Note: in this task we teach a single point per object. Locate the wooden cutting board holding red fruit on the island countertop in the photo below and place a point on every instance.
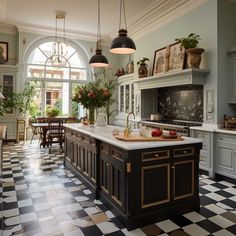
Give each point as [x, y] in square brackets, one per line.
[137, 137]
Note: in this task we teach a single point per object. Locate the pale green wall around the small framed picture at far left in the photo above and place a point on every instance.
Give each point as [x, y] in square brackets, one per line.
[11, 39]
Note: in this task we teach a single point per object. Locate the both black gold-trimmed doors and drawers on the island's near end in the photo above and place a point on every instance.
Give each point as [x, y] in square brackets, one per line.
[167, 176]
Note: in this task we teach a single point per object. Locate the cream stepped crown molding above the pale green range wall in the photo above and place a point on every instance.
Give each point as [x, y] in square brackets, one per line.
[159, 14]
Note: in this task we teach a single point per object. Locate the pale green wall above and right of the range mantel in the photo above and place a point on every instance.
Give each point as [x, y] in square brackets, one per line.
[203, 21]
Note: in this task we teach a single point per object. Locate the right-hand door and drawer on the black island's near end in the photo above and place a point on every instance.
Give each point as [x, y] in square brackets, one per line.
[183, 169]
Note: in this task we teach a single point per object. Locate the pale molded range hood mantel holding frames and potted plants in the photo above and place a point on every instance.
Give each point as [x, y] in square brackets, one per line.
[173, 78]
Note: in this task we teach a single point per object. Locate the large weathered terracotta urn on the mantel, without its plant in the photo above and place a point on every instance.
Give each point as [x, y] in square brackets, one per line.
[194, 57]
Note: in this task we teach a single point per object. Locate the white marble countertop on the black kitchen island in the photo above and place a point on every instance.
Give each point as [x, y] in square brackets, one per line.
[104, 133]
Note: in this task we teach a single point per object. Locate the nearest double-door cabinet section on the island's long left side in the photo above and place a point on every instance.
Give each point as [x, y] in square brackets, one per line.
[112, 174]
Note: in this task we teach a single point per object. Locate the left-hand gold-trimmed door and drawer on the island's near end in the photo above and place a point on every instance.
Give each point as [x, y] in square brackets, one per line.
[155, 178]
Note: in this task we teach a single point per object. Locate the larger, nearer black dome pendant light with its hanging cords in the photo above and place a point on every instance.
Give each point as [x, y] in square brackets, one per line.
[122, 44]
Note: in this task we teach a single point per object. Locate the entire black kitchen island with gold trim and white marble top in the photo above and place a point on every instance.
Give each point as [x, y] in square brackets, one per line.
[140, 182]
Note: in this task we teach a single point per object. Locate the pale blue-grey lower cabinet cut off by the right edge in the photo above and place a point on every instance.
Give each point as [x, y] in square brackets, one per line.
[225, 163]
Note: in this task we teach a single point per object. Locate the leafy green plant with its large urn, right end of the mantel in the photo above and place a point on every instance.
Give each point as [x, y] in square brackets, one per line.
[193, 52]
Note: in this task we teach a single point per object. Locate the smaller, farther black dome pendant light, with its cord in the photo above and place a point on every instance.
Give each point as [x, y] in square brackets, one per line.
[98, 60]
